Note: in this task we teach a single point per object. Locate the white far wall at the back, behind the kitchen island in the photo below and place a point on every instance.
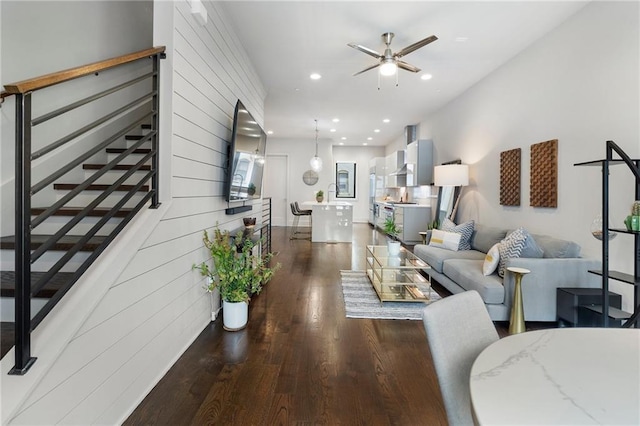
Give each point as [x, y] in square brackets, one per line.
[301, 151]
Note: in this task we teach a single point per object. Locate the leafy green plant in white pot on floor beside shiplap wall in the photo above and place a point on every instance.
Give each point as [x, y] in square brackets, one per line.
[237, 273]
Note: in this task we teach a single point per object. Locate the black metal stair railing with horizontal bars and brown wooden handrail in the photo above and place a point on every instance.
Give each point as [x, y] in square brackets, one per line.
[127, 117]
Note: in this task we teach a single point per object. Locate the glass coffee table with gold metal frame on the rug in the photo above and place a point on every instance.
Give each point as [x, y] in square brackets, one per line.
[397, 278]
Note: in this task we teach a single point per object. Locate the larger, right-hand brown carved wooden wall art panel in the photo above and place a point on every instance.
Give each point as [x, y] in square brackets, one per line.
[544, 174]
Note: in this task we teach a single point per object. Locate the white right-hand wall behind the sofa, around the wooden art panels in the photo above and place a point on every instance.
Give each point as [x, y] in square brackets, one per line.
[578, 84]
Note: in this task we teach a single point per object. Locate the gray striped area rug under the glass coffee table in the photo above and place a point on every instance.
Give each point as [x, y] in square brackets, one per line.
[361, 300]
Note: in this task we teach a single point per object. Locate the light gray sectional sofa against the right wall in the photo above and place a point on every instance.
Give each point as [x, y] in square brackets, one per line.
[560, 266]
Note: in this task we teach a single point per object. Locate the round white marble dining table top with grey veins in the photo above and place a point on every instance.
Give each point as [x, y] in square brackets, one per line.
[565, 376]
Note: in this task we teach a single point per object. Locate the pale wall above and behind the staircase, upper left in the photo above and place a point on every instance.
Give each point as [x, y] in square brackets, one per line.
[42, 37]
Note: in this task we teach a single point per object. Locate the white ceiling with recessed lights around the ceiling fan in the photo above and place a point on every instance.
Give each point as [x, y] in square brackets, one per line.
[288, 40]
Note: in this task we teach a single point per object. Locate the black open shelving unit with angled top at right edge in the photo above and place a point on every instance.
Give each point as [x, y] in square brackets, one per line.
[606, 310]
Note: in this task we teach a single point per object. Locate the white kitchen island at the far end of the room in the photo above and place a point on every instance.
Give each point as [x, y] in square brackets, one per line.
[332, 222]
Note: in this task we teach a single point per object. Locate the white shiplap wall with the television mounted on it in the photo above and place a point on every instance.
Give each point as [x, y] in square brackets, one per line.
[156, 306]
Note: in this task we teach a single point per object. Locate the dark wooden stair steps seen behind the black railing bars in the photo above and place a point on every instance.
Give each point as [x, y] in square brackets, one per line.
[48, 287]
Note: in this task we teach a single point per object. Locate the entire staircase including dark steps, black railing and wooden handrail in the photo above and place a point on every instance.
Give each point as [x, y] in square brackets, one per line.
[78, 199]
